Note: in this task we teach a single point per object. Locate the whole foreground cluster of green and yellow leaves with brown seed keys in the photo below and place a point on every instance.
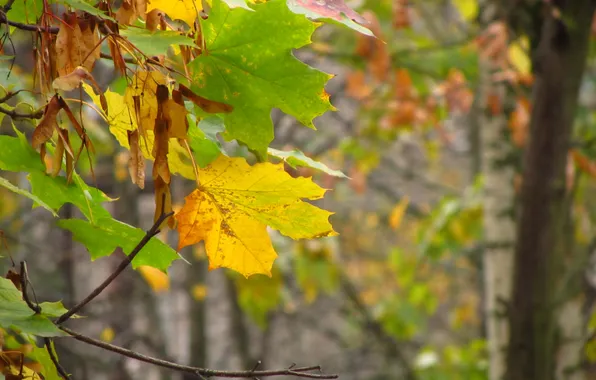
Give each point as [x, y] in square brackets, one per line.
[190, 73]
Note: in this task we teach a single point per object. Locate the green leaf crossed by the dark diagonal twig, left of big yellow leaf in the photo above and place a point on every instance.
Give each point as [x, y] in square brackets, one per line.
[107, 234]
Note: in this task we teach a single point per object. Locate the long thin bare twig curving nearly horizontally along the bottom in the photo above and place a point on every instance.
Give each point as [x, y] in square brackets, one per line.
[297, 372]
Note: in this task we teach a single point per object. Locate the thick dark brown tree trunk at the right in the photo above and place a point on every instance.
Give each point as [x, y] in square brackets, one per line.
[559, 62]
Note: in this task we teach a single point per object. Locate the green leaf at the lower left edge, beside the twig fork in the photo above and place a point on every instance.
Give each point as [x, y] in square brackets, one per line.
[14, 313]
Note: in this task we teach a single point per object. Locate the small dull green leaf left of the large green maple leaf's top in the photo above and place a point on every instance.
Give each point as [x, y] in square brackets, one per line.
[155, 43]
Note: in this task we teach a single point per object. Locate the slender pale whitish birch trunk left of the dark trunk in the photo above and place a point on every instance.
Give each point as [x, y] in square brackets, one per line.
[498, 171]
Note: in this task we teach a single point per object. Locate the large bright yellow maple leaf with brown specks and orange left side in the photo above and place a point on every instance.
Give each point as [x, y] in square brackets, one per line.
[235, 203]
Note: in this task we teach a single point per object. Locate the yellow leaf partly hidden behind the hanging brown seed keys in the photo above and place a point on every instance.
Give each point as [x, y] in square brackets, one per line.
[121, 118]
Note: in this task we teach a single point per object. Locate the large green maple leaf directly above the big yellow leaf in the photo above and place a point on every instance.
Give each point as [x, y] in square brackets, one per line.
[249, 64]
